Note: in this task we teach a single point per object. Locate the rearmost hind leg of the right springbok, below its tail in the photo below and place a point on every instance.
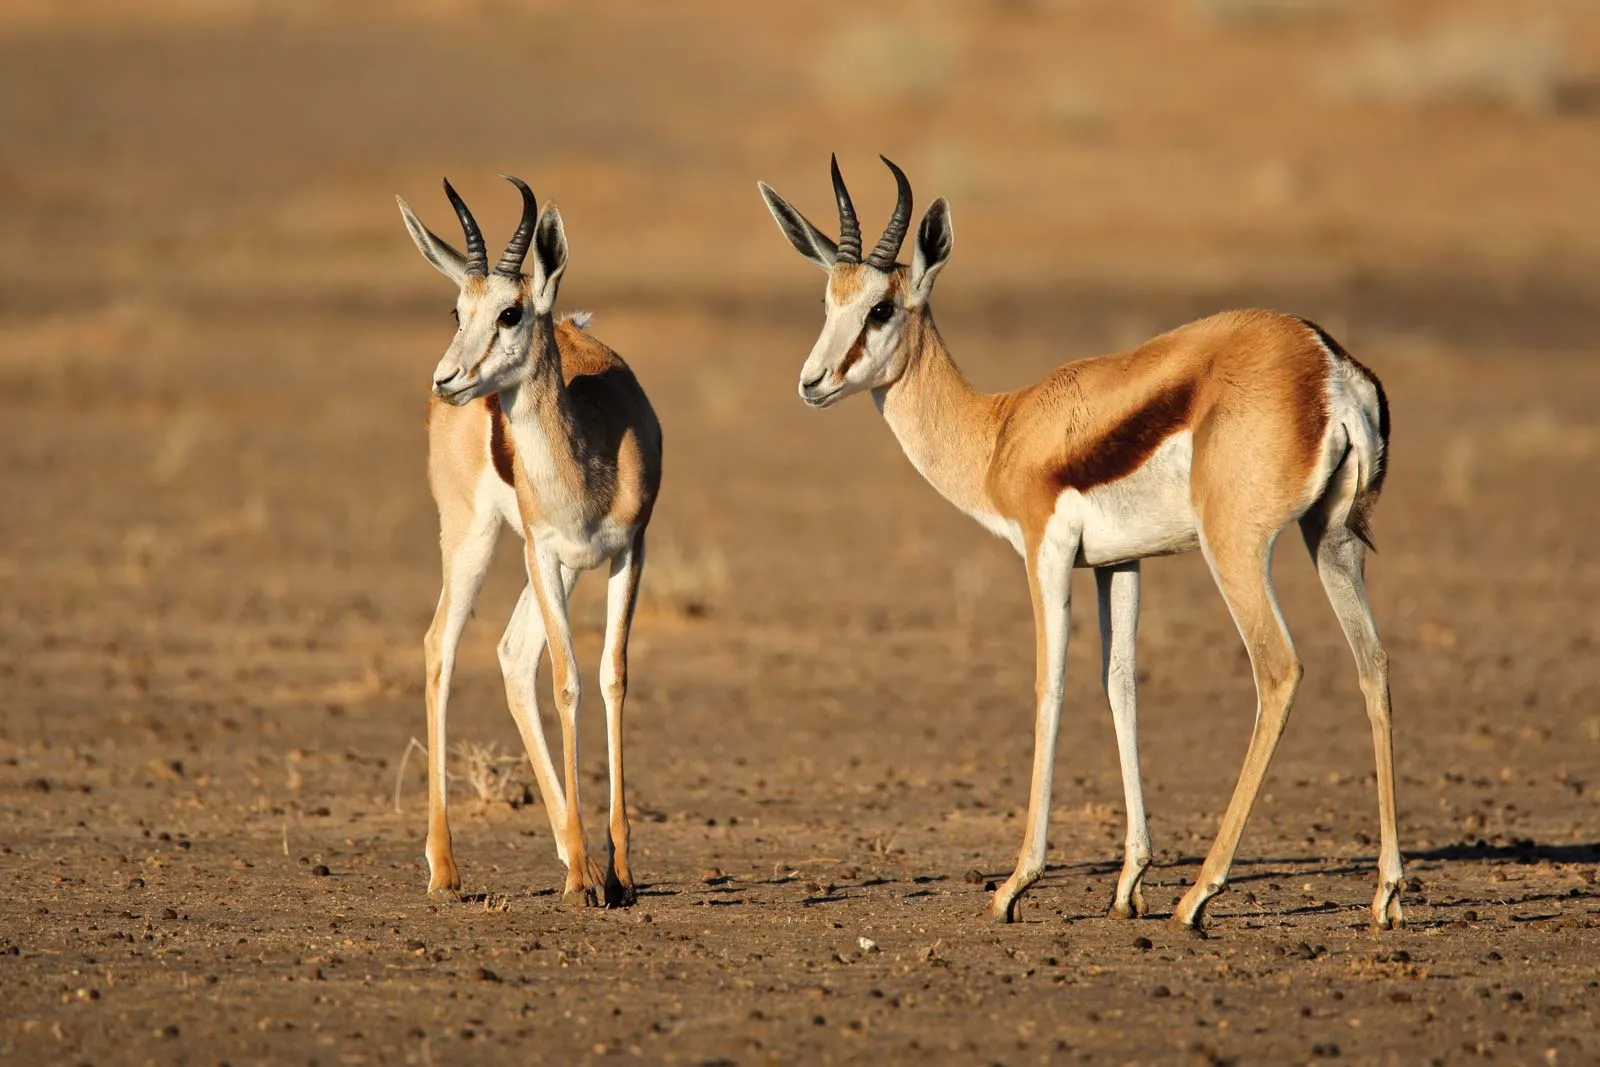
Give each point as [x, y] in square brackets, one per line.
[1340, 561]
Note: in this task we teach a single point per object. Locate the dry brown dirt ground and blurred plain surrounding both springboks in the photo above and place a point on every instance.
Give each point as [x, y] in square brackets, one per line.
[218, 554]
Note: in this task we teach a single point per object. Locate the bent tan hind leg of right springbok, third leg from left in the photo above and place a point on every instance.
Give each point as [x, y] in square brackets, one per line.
[1239, 561]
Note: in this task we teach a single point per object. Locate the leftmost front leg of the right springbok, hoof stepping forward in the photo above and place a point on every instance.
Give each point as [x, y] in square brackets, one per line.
[1050, 581]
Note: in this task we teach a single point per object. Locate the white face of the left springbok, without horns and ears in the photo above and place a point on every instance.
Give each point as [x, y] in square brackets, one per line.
[494, 340]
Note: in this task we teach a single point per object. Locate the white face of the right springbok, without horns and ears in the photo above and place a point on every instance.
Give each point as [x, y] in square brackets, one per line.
[860, 346]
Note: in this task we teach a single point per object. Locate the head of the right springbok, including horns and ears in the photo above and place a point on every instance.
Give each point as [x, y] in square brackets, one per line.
[870, 305]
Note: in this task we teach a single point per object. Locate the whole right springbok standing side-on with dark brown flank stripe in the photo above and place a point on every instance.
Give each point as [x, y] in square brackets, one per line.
[1215, 436]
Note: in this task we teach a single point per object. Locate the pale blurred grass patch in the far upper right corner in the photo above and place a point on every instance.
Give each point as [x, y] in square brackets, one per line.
[1513, 68]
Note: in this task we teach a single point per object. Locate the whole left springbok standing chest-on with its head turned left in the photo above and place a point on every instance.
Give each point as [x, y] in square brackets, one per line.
[538, 426]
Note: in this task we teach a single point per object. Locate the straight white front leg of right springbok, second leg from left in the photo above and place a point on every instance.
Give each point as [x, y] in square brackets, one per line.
[1119, 610]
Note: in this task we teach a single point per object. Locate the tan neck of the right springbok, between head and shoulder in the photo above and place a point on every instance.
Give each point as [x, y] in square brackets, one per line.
[945, 426]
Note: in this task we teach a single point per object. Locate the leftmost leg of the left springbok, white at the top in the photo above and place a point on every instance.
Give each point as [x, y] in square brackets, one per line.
[468, 546]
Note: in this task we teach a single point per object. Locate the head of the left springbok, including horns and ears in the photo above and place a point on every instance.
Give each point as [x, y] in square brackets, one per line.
[503, 316]
